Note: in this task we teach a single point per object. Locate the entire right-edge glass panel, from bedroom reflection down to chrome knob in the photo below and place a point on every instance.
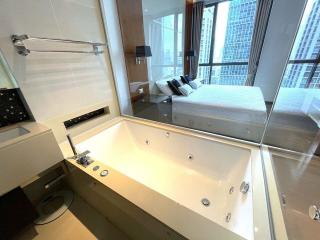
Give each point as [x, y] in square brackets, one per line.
[294, 124]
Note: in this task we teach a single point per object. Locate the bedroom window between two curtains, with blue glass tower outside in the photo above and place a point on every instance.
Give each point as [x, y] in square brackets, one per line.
[225, 45]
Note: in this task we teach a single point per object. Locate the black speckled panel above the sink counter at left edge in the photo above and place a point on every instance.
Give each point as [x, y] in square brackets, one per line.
[12, 109]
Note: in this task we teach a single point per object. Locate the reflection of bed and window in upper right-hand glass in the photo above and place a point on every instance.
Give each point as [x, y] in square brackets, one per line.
[296, 113]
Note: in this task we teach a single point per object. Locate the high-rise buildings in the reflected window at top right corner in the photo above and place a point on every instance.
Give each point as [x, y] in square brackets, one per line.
[306, 47]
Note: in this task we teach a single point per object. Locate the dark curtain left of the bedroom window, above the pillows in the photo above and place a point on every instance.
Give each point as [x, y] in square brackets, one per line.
[196, 24]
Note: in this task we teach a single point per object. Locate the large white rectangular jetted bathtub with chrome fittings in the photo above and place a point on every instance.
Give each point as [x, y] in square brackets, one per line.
[167, 171]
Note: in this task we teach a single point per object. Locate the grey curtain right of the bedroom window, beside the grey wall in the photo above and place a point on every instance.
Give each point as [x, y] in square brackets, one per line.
[259, 31]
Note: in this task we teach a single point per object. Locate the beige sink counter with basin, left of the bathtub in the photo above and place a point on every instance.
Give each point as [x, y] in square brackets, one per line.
[26, 150]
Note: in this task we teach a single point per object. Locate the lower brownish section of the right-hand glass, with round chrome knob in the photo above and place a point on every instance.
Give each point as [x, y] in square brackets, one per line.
[297, 178]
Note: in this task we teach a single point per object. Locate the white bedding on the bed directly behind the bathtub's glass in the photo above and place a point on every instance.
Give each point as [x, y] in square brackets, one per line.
[241, 104]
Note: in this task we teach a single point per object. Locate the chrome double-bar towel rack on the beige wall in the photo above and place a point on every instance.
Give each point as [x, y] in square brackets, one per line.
[18, 42]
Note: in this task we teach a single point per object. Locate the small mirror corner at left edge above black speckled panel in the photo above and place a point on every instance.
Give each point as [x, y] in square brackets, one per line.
[7, 80]
